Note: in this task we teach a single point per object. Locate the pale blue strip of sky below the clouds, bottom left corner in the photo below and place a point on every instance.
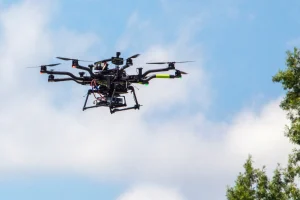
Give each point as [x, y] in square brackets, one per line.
[46, 187]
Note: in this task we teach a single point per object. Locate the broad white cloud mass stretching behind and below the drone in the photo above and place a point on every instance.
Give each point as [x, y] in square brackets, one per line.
[183, 150]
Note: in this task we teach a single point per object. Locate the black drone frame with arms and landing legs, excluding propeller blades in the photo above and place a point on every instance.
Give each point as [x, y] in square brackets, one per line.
[140, 78]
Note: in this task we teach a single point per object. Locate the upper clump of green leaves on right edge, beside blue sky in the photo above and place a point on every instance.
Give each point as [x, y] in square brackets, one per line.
[290, 80]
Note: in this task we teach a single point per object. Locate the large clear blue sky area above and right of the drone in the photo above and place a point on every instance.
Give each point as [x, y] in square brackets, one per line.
[244, 43]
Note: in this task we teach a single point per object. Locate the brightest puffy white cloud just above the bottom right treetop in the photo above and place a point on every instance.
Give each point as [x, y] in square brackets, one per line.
[261, 133]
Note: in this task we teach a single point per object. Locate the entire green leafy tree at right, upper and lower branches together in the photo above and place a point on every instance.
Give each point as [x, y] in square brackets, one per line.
[253, 183]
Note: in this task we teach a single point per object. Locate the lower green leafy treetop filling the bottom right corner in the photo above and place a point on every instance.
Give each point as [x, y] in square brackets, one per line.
[254, 184]
